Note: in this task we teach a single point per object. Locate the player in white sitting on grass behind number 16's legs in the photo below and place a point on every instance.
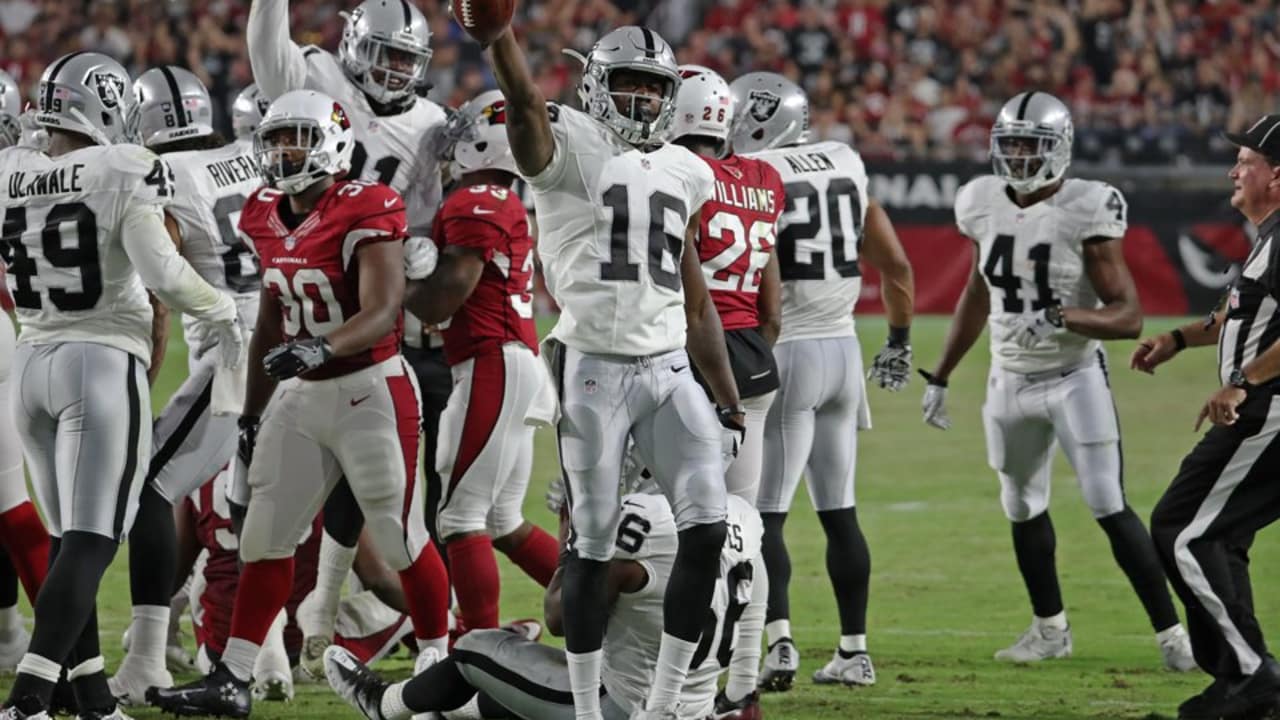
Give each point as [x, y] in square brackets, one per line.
[519, 678]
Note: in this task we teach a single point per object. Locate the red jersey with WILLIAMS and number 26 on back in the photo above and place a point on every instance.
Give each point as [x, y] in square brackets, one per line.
[739, 230]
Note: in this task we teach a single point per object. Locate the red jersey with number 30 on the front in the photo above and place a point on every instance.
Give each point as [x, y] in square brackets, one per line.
[313, 270]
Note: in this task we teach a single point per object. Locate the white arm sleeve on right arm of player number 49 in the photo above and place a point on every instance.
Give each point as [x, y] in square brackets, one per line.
[154, 257]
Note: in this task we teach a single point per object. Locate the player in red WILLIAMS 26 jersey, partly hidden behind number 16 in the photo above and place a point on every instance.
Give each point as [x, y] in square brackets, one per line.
[735, 245]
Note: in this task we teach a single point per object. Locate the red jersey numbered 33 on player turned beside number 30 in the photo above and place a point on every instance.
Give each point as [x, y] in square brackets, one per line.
[492, 220]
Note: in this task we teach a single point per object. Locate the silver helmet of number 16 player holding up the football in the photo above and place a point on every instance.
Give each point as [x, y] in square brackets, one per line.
[637, 49]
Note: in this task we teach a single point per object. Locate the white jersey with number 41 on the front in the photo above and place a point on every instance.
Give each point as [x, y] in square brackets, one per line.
[1034, 257]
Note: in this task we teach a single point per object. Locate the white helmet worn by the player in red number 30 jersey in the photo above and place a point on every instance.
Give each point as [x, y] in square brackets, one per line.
[309, 124]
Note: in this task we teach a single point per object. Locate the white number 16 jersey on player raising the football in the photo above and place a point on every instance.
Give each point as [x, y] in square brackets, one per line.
[612, 225]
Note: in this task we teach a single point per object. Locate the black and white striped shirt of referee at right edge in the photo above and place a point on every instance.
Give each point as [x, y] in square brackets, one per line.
[1254, 304]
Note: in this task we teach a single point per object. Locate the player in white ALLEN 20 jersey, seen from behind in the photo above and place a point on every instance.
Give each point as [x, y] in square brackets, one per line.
[829, 225]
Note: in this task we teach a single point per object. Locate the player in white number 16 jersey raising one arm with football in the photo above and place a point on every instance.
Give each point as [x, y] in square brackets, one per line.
[619, 215]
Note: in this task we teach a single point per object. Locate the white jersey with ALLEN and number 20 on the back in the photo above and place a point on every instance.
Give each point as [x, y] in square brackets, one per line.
[820, 236]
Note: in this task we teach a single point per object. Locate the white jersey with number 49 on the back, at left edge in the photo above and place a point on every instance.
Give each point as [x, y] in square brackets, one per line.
[68, 272]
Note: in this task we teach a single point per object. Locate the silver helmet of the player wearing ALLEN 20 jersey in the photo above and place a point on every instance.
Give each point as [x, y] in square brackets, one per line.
[770, 112]
